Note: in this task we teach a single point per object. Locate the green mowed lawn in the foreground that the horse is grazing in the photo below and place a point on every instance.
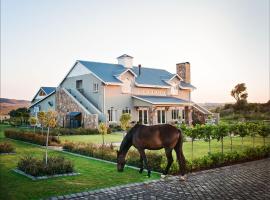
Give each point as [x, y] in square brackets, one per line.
[94, 175]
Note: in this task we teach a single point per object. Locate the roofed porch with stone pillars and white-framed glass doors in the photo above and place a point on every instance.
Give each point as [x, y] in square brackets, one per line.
[162, 109]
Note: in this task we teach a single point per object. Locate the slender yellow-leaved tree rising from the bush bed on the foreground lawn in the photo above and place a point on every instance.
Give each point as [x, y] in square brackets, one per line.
[50, 122]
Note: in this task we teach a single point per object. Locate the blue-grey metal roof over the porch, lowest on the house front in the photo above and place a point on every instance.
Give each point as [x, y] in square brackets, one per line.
[161, 99]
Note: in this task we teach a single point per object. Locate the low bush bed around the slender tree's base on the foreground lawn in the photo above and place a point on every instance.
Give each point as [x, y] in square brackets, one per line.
[37, 167]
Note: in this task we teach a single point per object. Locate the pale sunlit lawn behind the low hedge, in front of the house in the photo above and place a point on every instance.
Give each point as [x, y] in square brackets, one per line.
[200, 147]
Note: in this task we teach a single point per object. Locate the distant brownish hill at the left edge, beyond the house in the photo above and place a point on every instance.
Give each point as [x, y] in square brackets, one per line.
[6, 105]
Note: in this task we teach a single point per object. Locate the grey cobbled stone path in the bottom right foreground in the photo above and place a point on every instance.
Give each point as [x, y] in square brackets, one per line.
[250, 180]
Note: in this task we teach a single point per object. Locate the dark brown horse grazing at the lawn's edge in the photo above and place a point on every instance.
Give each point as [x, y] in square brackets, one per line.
[153, 138]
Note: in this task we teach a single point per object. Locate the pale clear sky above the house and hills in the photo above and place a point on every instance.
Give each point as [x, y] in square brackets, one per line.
[226, 42]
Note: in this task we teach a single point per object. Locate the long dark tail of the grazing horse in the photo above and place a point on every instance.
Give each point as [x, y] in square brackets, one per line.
[180, 155]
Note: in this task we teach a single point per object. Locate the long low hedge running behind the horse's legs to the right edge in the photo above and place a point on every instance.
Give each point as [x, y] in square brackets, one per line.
[158, 162]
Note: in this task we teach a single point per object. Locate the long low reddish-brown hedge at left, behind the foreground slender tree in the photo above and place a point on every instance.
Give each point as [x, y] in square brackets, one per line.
[31, 137]
